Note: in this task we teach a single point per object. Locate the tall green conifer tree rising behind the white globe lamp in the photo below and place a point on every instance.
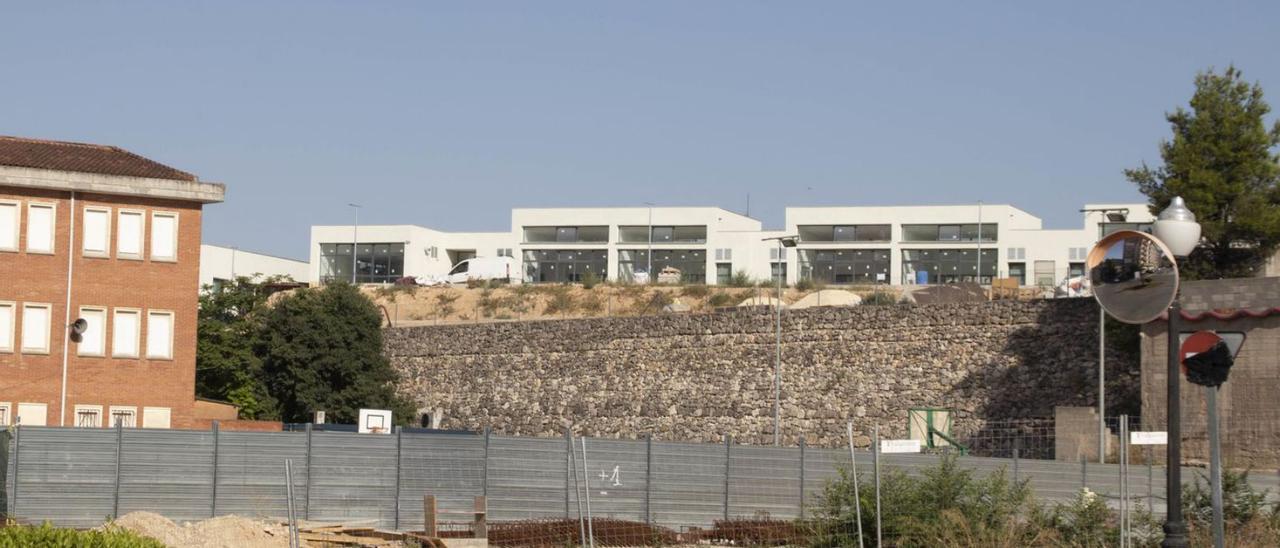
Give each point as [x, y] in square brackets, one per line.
[1222, 161]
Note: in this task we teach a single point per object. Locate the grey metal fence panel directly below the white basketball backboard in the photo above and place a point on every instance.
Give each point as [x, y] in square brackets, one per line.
[354, 478]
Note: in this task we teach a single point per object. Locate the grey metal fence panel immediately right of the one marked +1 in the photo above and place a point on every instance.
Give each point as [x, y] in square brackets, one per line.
[688, 485]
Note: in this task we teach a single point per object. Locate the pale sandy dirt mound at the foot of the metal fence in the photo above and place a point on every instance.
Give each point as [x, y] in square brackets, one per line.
[223, 532]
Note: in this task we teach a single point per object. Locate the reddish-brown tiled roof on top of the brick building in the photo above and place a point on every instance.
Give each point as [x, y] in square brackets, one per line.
[77, 157]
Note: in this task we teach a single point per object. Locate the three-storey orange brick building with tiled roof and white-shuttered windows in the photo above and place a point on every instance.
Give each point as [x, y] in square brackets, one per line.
[98, 234]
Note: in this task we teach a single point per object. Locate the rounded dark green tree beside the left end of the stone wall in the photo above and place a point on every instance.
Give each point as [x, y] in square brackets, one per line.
[323, 350]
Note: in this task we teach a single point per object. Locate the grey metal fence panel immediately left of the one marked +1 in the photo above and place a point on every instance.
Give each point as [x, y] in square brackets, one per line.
[528, 478]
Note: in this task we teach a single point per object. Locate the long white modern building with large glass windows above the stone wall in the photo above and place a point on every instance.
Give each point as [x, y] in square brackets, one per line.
[906, 245]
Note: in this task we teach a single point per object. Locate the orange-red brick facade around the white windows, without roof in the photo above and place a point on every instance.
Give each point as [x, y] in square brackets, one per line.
[111, 282]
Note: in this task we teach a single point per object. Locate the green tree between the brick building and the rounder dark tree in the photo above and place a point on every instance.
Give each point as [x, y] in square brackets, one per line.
[227, 363]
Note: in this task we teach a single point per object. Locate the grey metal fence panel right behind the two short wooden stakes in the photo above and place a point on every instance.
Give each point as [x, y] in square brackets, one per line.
[450, 467]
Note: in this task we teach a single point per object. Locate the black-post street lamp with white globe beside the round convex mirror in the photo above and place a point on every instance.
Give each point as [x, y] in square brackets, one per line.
[1177, 227]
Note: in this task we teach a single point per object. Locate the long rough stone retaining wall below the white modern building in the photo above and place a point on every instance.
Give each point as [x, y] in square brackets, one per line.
[701, 377]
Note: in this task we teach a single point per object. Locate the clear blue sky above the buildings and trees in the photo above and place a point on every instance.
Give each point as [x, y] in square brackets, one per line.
[449, 115]
